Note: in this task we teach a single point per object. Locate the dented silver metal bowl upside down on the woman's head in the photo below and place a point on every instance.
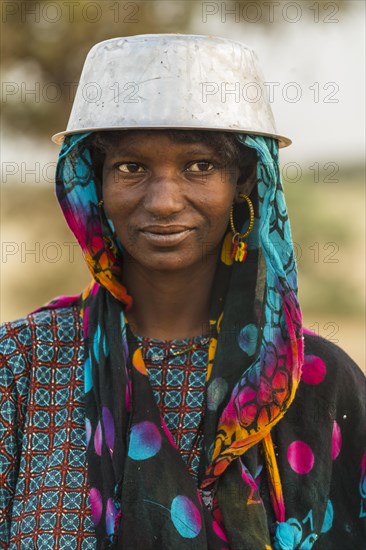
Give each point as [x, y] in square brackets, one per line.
[160, 81]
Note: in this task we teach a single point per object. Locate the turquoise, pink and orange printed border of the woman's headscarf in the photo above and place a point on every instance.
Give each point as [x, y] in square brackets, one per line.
[273, 372]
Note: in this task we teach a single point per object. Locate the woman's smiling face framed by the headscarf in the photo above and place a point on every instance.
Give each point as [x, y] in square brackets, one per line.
[169, 202]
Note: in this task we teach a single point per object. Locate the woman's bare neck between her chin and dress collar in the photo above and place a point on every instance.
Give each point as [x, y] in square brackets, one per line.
[170, 305]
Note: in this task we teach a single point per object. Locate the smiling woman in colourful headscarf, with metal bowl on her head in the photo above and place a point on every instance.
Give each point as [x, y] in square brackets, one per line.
[178, 402]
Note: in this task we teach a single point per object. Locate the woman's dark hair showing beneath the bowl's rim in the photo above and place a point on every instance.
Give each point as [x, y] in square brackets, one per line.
[225, 145]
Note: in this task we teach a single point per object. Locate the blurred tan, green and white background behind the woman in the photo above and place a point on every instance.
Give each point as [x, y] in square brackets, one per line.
[313, 58]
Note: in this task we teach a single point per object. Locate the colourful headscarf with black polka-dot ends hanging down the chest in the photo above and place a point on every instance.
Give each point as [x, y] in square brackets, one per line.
[141, 494]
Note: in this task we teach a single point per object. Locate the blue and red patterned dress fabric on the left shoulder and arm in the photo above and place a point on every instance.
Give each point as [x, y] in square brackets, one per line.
[42, 433]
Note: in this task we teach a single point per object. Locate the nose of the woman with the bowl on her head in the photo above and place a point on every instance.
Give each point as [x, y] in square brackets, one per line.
[164, 195]
